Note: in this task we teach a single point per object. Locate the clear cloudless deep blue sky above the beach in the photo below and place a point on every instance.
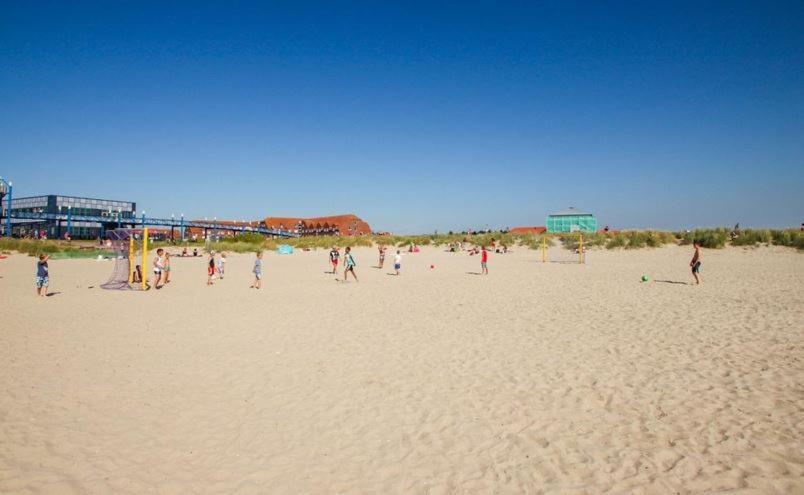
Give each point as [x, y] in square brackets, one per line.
[414, 116]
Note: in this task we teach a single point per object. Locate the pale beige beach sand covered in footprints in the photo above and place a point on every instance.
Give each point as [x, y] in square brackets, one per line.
[539, 378]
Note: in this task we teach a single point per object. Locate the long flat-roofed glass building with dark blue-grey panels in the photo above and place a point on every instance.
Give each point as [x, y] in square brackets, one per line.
[77, 206]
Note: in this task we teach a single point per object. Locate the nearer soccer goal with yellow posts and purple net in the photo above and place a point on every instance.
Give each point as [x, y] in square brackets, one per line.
[131, 261]
